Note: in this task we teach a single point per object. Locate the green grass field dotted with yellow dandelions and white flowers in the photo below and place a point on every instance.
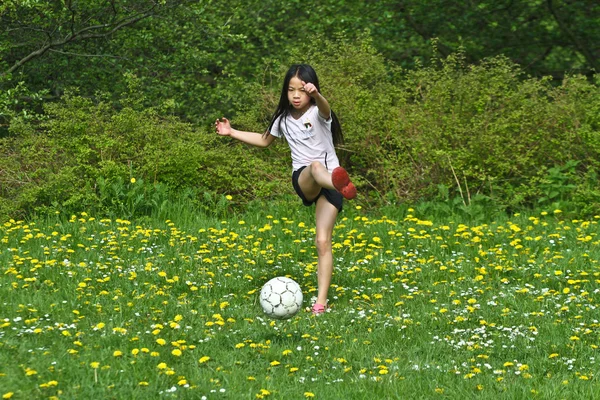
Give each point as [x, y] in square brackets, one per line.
[97, 308]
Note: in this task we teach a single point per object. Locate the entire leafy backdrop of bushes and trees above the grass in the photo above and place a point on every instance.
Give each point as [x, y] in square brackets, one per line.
[144, 70]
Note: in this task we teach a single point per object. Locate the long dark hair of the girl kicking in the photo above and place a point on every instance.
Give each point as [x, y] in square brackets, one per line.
[306, 73]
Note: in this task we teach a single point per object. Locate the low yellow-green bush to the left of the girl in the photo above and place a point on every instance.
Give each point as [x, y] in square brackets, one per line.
[86, 151]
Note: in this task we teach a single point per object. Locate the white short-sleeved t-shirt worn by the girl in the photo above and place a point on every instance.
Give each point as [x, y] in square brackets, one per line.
[309, 137]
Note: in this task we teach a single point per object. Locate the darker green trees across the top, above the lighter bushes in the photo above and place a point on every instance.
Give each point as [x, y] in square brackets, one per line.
[200, 55]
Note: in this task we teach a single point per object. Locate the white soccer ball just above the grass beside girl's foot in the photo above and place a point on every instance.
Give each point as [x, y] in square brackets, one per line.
[281, 298]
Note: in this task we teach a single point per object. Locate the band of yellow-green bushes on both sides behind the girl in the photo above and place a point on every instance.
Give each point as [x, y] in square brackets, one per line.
[468, 137]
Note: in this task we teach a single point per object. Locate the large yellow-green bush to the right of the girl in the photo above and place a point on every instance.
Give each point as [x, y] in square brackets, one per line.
[483, 131]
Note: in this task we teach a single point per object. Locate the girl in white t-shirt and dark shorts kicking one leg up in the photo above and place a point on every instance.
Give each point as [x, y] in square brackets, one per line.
[311, 129]
